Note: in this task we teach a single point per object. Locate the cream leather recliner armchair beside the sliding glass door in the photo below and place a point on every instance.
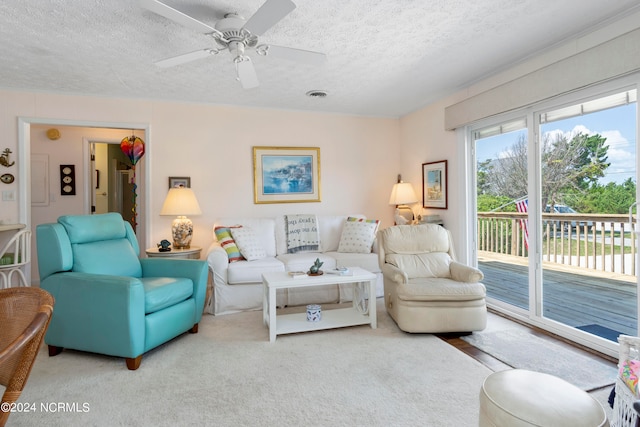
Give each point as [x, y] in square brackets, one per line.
[425, 288]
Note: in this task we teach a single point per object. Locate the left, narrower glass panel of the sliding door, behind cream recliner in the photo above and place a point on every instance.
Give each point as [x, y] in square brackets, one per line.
[501, 153]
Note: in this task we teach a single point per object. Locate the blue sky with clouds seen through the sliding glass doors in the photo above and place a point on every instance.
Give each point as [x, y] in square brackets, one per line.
[617, 125]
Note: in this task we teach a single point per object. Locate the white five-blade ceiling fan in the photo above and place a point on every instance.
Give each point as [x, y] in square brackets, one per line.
[237, 35]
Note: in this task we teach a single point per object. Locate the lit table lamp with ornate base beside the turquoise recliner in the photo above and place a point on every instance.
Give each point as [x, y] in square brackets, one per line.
[181, 201]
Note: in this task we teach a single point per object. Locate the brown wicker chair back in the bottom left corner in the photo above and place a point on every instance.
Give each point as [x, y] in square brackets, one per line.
[24, 316]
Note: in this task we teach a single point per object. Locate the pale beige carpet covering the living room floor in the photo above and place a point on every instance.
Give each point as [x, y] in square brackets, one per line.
[230, 375]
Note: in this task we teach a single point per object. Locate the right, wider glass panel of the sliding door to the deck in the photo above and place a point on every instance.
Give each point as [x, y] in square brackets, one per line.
[588, 186]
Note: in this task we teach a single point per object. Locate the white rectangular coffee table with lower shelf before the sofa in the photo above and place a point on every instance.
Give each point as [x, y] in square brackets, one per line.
[357, 314]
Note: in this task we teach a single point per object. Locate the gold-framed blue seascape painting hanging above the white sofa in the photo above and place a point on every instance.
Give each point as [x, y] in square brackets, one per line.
[286, 174]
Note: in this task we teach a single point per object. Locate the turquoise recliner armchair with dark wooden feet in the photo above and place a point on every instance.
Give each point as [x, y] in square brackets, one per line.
[108, 300]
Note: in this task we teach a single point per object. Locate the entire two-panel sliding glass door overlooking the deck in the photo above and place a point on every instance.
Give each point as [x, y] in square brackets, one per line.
[555, 214]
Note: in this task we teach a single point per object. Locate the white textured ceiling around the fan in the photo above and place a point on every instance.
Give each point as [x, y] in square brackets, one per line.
[384, 57]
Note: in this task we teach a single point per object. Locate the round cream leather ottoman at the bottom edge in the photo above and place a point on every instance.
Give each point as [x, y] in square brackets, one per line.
[518, 397]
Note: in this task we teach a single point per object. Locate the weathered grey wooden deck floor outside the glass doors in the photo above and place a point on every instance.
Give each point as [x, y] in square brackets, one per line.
[573, 296]
